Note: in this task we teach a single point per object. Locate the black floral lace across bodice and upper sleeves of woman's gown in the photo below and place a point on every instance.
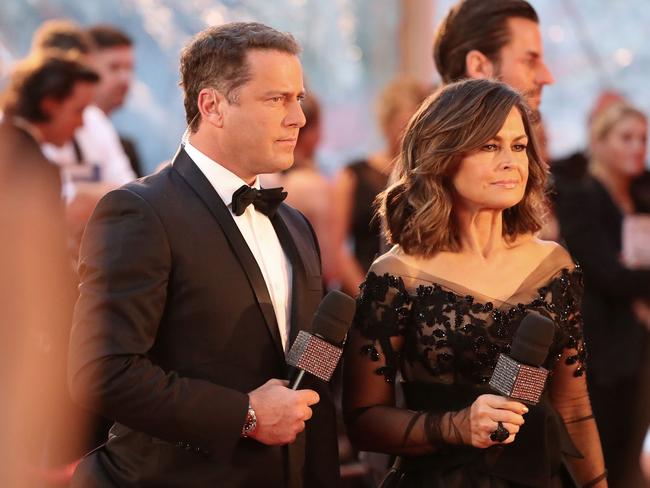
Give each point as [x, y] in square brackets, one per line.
[456, 339]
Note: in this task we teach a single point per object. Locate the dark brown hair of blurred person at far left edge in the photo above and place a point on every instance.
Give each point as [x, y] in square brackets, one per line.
[52, 73]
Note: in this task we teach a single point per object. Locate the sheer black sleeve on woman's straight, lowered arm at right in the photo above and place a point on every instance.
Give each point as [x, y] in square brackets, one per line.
[568, 387]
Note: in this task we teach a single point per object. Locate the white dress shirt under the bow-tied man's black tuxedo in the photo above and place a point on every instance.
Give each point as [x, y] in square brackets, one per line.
[259, 234]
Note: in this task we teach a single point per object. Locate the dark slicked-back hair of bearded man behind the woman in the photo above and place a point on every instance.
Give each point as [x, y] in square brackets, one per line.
[475, 24]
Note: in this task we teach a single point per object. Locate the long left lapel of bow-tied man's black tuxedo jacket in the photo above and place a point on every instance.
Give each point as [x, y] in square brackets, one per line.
[184, 165]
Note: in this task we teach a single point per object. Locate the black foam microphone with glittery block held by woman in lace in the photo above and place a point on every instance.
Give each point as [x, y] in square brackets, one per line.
[520, 375]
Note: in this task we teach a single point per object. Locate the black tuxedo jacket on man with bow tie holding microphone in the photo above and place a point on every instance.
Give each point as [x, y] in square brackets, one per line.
[174, 325]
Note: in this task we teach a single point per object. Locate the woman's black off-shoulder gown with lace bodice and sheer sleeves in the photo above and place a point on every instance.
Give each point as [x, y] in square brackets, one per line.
[444, 341]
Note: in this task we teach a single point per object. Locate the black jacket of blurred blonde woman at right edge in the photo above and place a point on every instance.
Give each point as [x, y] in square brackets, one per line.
[591, 224]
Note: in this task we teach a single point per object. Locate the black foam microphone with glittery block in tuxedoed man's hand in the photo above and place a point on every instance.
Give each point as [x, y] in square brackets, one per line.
[318, 352]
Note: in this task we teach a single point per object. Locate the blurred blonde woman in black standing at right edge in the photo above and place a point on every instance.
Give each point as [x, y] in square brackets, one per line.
[592, 216]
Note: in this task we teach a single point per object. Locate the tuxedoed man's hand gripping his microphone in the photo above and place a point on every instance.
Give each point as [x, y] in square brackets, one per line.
[281, 413]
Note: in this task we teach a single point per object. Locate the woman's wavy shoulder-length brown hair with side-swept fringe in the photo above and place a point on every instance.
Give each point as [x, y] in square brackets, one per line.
[417, 210]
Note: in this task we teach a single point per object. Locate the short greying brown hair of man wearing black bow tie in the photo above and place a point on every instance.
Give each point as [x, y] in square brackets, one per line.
[216, 57]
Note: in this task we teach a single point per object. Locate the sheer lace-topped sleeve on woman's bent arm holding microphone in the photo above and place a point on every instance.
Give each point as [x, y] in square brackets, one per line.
[372, 359]
